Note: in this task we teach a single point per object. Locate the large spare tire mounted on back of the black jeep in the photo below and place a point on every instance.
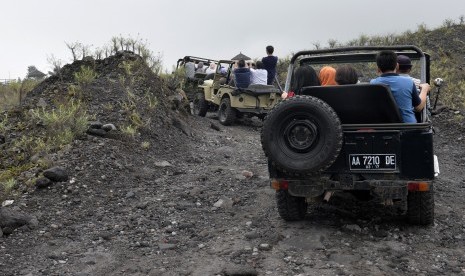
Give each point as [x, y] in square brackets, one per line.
[302, 135]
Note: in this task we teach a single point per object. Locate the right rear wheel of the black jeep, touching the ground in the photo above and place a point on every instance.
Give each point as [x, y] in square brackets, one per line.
[420, 207]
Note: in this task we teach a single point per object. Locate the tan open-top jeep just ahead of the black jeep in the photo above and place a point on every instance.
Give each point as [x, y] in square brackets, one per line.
[217, 94]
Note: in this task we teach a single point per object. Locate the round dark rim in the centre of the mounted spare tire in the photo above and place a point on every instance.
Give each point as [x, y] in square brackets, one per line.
[301, 135]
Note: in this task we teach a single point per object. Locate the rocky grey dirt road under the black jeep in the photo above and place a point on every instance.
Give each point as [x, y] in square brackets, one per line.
[201, 205]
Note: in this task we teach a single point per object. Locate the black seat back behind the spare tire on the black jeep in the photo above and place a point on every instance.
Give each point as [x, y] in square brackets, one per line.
[358, 103]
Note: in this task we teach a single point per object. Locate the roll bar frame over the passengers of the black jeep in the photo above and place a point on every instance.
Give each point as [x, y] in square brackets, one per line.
[358, 54]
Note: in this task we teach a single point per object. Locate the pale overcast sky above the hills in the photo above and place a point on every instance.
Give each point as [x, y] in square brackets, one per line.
[32, 30]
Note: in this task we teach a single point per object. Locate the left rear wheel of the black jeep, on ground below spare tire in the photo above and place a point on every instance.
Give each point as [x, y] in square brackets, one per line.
[290, 207]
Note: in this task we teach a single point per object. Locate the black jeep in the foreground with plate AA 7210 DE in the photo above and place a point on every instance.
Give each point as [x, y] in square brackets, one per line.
[350, 138]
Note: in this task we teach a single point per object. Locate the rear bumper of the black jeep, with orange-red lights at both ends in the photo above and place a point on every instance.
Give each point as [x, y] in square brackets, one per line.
[387, 189]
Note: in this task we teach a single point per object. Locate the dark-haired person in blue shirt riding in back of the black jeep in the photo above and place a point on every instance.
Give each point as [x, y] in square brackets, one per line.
[402, 88]
